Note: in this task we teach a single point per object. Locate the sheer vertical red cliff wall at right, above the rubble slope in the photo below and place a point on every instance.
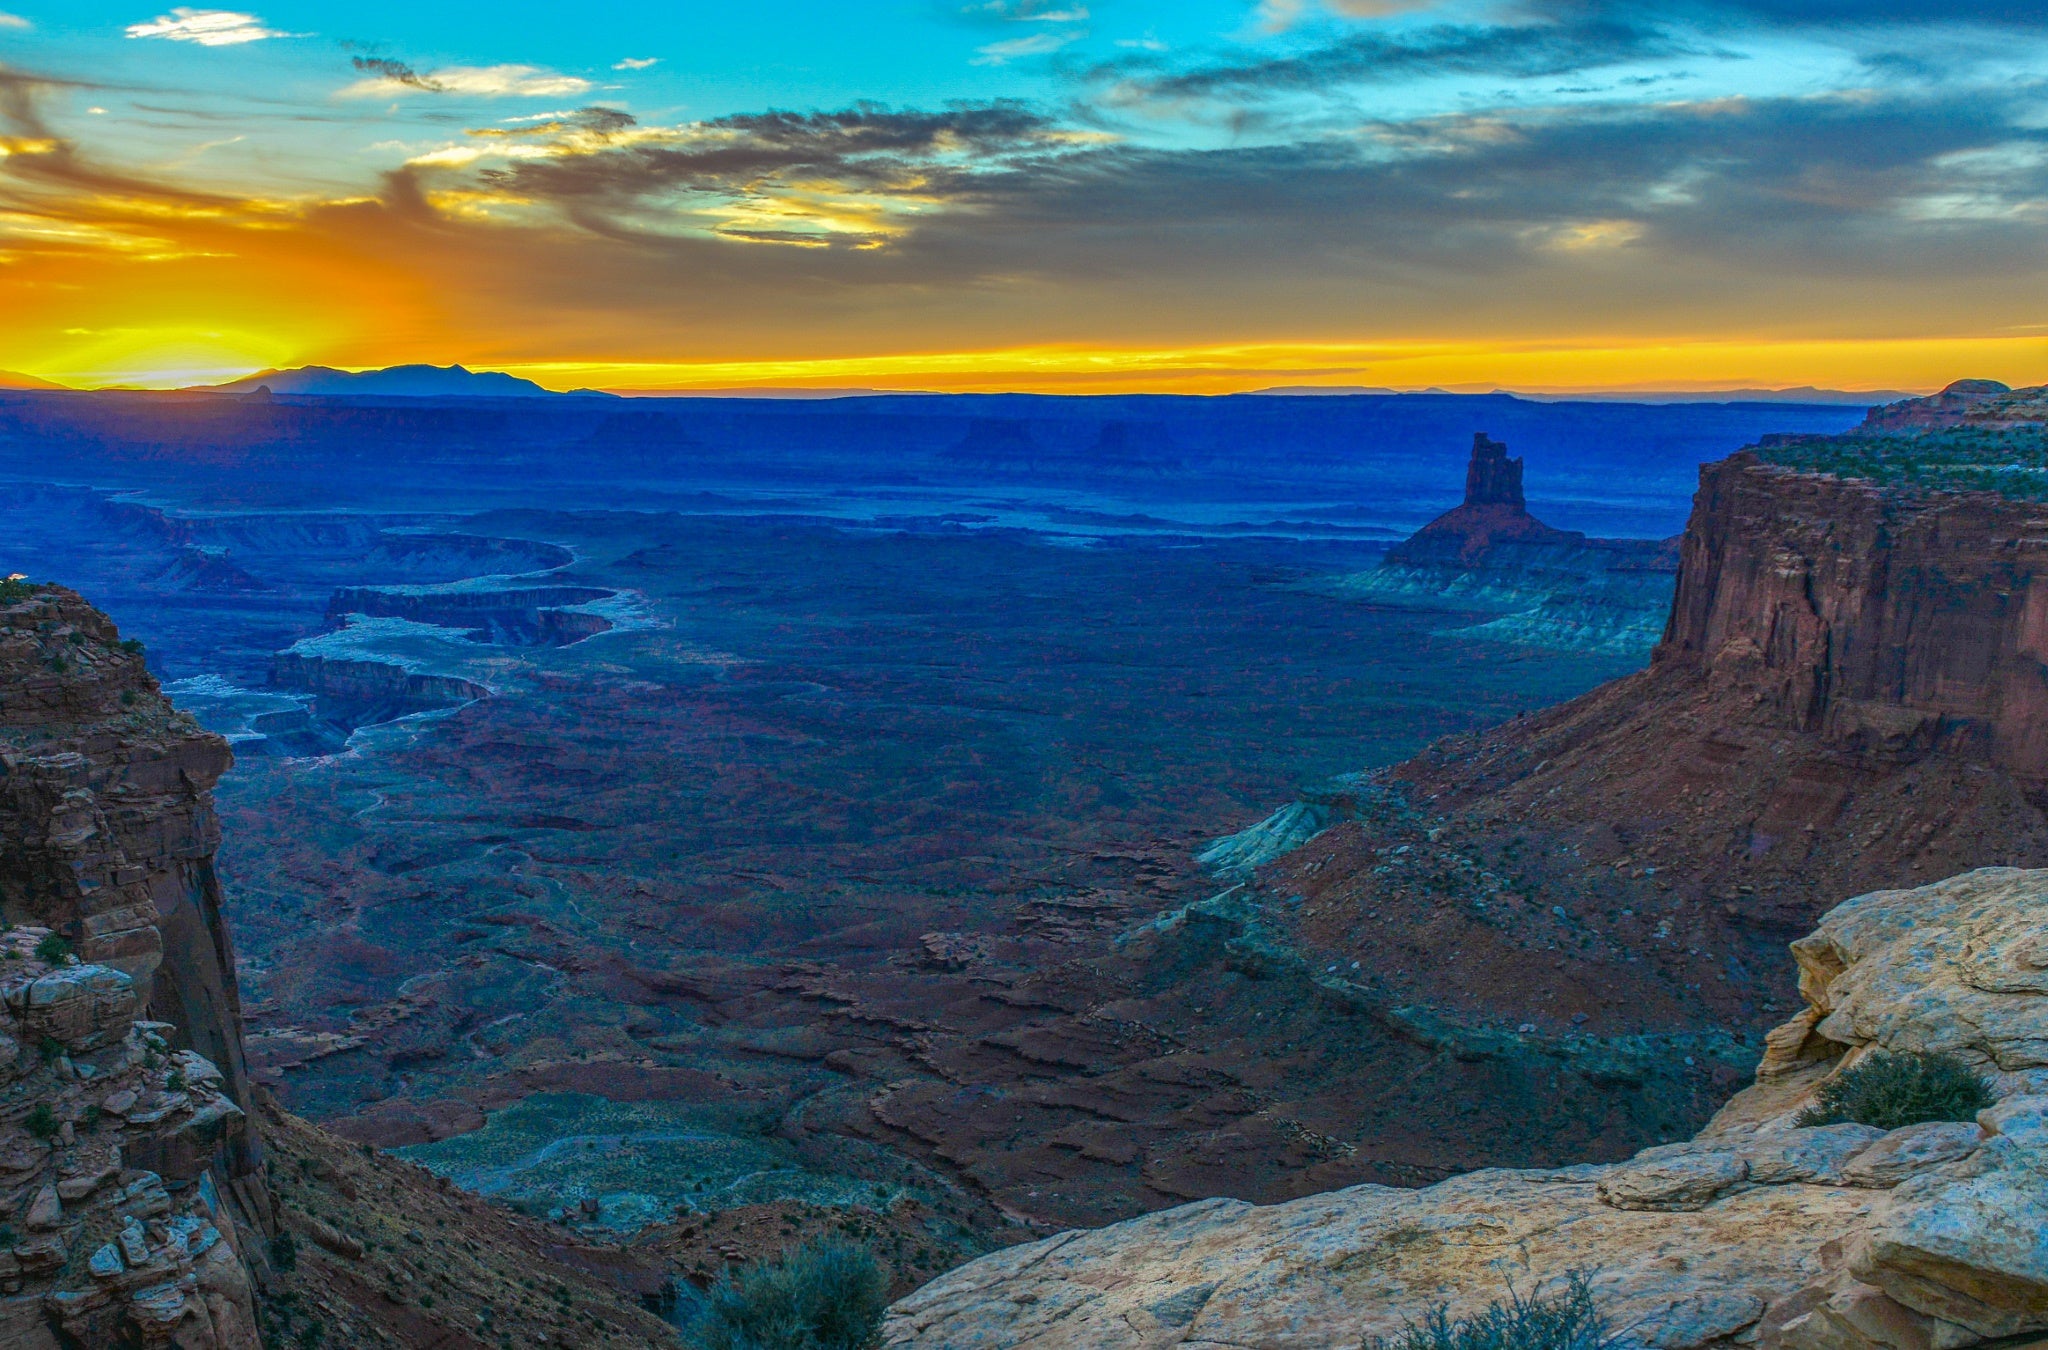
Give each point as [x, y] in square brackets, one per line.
[1885, 624]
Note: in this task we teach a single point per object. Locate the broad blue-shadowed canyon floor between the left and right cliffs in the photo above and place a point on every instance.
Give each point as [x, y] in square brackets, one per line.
[830, 857]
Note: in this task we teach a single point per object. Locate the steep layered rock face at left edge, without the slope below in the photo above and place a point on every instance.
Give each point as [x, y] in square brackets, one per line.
[130, 1177]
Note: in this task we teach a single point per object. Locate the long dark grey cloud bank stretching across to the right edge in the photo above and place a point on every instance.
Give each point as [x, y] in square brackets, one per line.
[1490, 208]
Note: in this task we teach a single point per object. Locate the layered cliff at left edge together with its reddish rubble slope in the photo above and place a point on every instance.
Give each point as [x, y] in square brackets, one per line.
[153, 1195]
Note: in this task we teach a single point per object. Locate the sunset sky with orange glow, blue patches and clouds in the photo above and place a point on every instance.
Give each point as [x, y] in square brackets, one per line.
[1062, 196]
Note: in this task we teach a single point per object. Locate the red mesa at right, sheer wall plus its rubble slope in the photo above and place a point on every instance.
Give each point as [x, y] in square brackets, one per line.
[1852, 693]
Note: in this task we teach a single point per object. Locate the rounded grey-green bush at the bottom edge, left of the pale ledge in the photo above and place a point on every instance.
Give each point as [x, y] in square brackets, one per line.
[826, 1296]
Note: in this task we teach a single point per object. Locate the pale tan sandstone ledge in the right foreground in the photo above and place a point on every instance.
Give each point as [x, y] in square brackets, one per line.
[1756, 1232]
